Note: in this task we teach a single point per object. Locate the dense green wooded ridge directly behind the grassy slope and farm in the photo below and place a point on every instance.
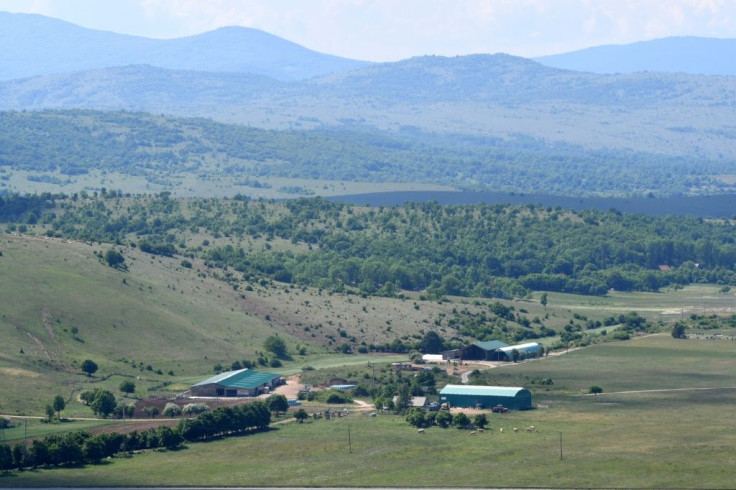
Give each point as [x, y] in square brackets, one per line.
[480, 250]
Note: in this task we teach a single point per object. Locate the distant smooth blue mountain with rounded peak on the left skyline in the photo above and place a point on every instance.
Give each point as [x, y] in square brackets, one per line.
[33, 45]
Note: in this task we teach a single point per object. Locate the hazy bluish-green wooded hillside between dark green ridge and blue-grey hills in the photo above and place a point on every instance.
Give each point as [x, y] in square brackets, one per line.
[58, 146]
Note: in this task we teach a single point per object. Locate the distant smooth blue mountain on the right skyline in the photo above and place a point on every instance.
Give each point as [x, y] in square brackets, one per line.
[695, 55]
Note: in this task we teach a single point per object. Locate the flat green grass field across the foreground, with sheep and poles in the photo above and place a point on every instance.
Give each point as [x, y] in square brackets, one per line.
[680, 439]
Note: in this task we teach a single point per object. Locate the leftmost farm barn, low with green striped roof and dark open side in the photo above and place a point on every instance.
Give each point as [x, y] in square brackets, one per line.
[244, 382]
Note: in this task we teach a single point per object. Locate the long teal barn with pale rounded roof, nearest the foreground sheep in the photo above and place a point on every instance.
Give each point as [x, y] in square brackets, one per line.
[469, 396]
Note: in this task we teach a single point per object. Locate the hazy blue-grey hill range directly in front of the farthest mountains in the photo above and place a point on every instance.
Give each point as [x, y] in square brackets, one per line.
[487, 96]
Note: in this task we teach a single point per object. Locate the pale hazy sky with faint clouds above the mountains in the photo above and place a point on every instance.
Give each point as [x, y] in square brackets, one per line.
[388, 30]
